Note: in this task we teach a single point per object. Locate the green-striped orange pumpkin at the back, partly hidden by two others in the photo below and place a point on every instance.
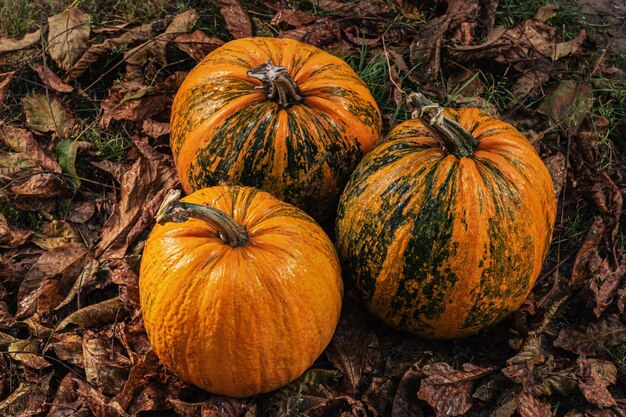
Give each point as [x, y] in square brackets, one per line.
[275, 114]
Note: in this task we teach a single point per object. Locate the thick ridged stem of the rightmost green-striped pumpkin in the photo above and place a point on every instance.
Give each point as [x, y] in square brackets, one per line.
[452, 135]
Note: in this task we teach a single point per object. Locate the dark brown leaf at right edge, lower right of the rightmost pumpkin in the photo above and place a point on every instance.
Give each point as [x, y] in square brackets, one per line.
[595, 339]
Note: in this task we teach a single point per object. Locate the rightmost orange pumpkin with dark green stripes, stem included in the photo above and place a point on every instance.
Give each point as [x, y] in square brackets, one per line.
[443, 228]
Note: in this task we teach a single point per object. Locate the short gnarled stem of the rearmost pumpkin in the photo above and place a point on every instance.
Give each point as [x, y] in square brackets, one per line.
[277, 82]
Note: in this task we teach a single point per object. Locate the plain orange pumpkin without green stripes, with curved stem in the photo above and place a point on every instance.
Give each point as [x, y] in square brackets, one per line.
[240, 292]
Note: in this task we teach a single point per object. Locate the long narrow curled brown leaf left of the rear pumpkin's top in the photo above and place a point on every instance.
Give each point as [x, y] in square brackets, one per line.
[97, 51]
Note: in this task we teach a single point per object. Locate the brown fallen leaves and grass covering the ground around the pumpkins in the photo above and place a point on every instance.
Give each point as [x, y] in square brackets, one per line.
[85, 95]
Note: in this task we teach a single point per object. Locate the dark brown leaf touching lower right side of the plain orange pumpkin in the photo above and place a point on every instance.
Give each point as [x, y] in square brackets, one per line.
[354, 349]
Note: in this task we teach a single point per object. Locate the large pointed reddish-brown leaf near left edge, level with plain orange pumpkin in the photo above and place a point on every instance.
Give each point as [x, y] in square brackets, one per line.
[44, 285]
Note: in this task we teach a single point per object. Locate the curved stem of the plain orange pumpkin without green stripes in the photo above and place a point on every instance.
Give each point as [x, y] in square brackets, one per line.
[173, 210]
